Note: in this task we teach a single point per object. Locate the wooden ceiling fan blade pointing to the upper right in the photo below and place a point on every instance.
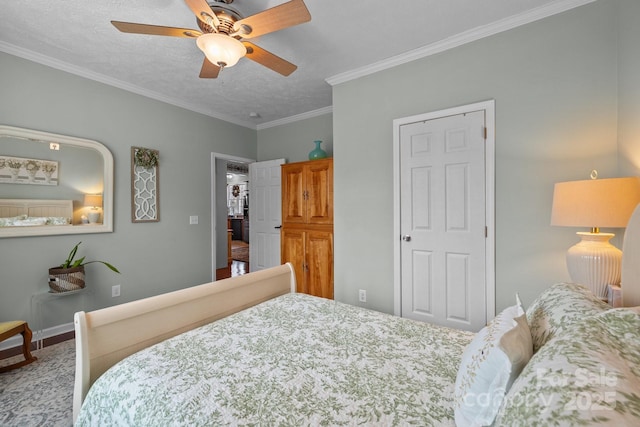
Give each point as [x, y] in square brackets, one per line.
[277, 18]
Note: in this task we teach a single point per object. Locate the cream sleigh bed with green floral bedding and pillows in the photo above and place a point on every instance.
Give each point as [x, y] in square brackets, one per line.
[250, 351]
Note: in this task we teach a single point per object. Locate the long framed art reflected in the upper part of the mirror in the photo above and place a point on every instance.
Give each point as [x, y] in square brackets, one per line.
[18, 170]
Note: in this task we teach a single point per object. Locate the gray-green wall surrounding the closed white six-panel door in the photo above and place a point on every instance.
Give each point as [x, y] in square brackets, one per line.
[555, 85]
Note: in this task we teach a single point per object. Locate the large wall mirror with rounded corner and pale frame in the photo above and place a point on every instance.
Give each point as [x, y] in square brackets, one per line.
[53, 184]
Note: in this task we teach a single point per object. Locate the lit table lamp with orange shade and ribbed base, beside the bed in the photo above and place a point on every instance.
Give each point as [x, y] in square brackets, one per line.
[594, 261]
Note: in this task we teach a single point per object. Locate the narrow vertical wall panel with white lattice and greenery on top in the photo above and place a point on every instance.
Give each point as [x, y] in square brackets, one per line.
[145, 189]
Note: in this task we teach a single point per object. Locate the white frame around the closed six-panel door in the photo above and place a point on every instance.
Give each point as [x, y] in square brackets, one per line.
[489, 108]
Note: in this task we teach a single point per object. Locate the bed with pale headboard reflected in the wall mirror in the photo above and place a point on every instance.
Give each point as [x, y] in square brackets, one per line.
[35, 212]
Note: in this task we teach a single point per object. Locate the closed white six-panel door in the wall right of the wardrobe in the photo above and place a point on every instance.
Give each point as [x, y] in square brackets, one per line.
[443, 221]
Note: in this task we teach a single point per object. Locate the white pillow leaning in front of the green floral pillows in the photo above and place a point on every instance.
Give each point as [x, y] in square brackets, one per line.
[490, 364]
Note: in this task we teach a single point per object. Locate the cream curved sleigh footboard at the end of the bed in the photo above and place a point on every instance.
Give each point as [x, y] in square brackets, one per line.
[104, 337]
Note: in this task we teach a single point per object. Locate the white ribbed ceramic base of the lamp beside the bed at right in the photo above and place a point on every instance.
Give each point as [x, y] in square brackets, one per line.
[594, 262]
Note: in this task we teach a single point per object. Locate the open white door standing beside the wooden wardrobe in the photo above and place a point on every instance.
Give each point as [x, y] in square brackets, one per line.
[265, 214]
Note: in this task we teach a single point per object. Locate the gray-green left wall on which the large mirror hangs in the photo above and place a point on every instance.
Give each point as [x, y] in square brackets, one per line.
[153, 257]
